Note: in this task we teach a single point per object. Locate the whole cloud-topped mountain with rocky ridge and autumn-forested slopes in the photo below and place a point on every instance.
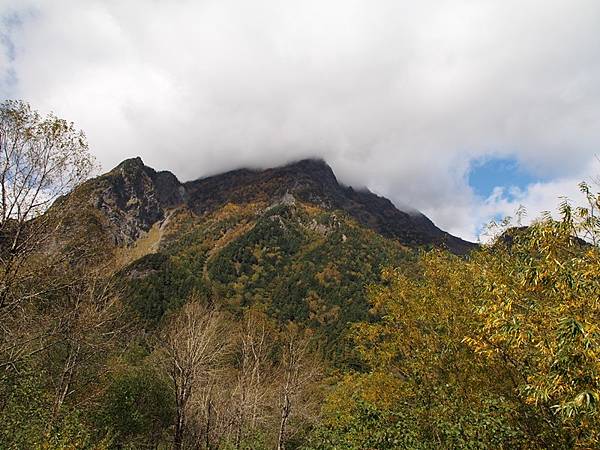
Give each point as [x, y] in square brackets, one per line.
[291, 239]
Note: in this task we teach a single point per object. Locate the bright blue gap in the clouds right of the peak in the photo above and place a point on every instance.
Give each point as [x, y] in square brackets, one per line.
[485, 175]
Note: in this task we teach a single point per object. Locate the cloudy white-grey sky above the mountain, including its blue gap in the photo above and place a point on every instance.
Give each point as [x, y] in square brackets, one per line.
[463, 109]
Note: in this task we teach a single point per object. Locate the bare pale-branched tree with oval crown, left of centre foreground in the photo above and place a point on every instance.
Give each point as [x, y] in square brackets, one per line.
[193, 344]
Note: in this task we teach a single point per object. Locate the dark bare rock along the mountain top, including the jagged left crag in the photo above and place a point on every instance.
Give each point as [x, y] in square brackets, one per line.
[134, 197]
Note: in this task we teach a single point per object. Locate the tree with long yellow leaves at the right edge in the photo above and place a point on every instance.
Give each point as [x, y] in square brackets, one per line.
[538, 313]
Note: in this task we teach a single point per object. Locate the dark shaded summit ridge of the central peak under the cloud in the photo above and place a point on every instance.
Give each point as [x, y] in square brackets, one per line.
[313, 181]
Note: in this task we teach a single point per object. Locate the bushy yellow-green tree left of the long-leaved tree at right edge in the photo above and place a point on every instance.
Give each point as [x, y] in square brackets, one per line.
[422, 387]
